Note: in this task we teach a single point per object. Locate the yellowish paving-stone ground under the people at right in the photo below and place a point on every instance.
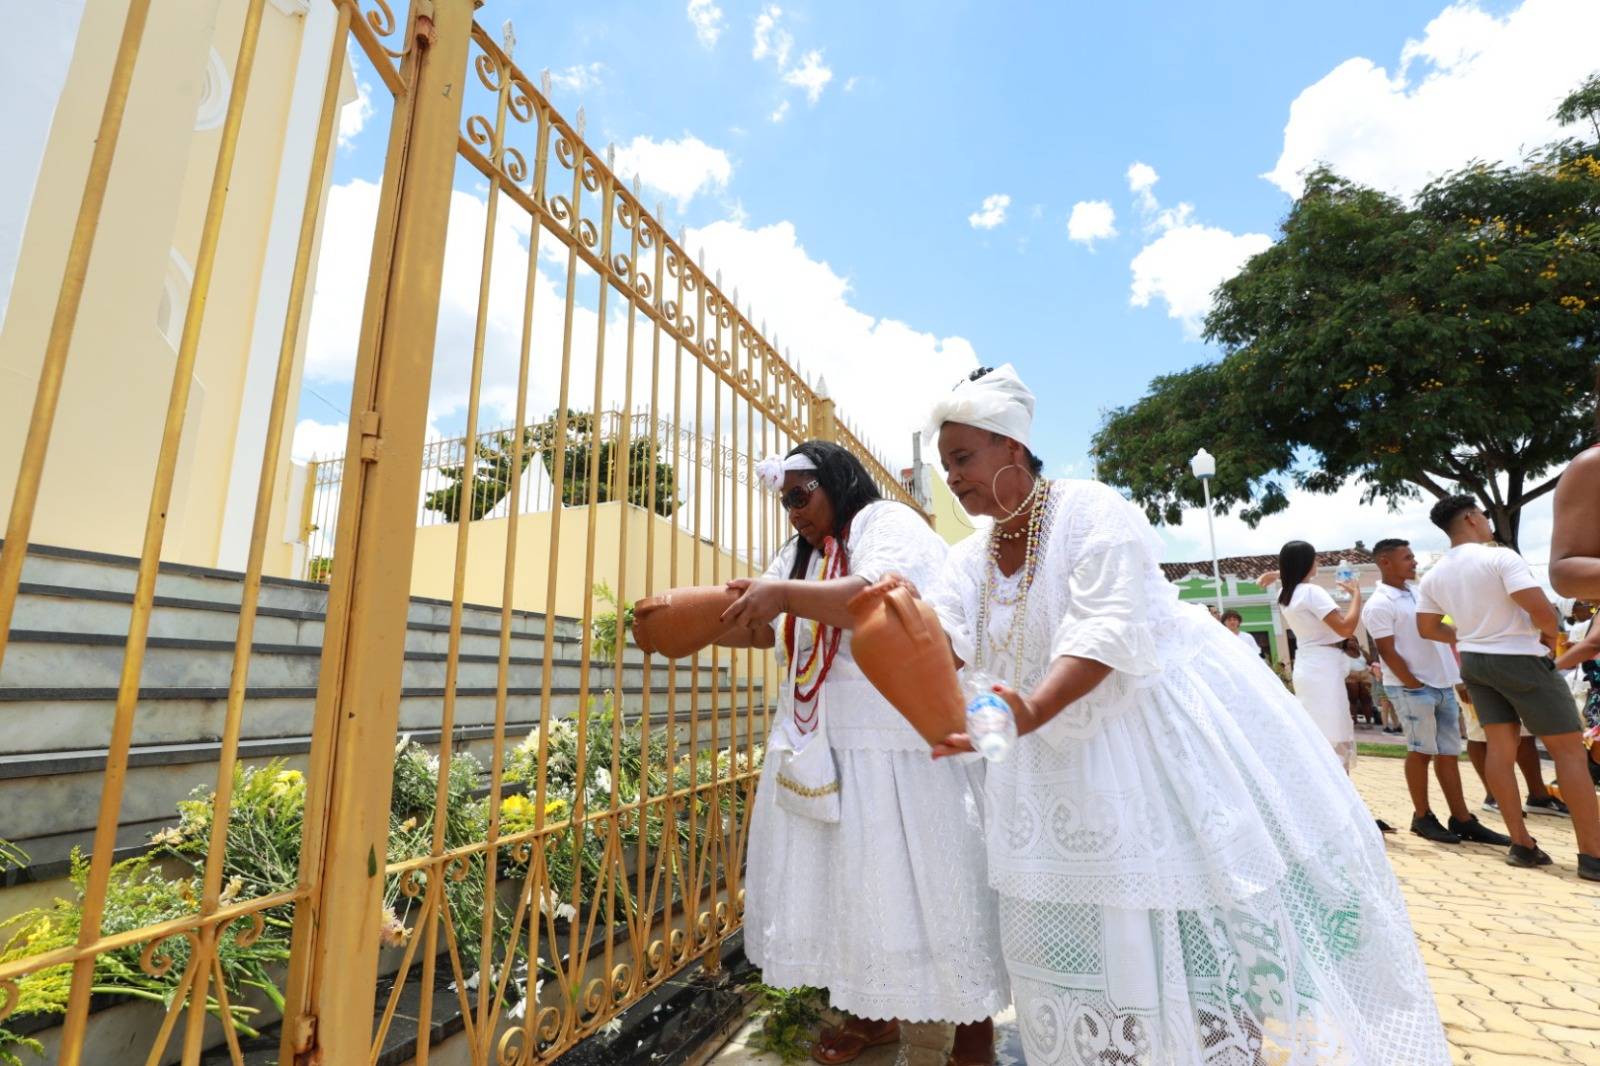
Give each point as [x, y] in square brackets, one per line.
[1513, 955]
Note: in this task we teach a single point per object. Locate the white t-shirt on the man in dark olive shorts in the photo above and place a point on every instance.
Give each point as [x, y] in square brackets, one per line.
[1473, 583]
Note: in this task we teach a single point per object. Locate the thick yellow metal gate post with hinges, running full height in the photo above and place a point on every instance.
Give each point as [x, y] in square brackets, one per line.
[329, 1012]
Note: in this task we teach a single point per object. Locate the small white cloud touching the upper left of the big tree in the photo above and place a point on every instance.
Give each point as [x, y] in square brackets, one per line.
[1185, 266]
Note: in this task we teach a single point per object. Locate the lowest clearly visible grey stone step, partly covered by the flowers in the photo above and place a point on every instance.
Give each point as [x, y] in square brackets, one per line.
[58, 793]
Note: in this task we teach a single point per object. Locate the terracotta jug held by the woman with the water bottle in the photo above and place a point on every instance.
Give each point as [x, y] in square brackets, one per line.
[900, 646]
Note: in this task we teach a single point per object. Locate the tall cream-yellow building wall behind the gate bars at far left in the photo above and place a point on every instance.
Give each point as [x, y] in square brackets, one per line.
[108, 430]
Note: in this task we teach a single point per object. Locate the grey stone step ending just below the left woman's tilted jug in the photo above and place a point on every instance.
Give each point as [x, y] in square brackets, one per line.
[42, 660]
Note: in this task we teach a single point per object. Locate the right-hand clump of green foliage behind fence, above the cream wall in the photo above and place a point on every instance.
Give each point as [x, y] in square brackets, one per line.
[644, 465]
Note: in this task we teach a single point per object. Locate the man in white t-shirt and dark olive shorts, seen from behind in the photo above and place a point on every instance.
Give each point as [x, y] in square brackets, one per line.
[1502, 620]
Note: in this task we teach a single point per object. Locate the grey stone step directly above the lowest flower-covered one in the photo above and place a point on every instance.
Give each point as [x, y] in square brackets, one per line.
[76, 719]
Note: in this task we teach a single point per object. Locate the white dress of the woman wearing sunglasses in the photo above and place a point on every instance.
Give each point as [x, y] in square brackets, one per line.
[890, 908]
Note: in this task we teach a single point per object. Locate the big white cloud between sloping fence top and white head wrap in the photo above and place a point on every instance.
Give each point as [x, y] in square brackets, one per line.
[886, 375]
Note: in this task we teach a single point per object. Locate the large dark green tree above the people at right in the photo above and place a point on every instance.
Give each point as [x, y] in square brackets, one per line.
[1428, 348]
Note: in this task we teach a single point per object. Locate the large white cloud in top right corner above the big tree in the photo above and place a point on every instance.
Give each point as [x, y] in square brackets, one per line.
[1473, 87]
